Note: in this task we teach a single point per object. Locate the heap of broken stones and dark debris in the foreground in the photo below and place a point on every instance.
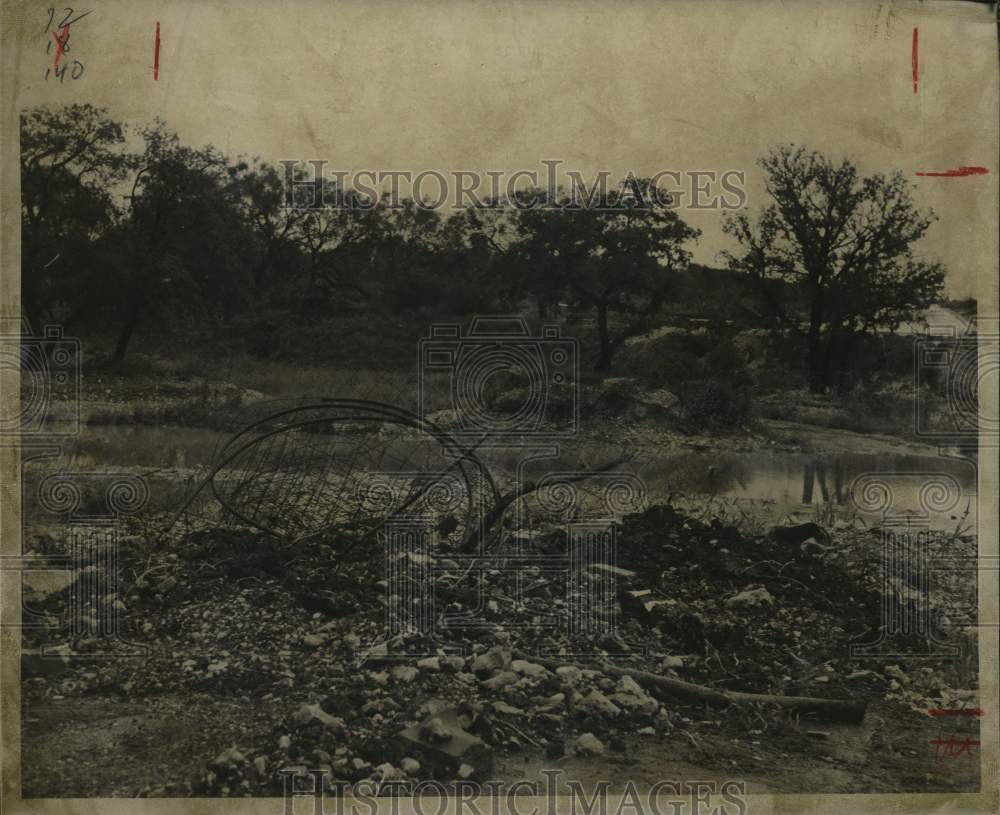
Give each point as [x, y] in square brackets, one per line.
[513, 657]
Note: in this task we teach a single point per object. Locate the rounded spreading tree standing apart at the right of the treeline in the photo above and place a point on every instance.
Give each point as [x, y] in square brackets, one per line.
[845, 243]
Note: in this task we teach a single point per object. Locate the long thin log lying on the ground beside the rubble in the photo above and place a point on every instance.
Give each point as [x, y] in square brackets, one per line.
[831, 709]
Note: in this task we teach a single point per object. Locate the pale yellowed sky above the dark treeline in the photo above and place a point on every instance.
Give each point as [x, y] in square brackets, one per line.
[619, 86]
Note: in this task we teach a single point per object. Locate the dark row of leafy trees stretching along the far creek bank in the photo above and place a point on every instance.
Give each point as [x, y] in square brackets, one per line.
[131, 232]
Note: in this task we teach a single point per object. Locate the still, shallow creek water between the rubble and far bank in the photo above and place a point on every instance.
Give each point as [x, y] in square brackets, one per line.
[777, 482]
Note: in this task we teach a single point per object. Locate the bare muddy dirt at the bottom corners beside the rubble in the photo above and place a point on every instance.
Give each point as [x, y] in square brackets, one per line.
[110, 747]
